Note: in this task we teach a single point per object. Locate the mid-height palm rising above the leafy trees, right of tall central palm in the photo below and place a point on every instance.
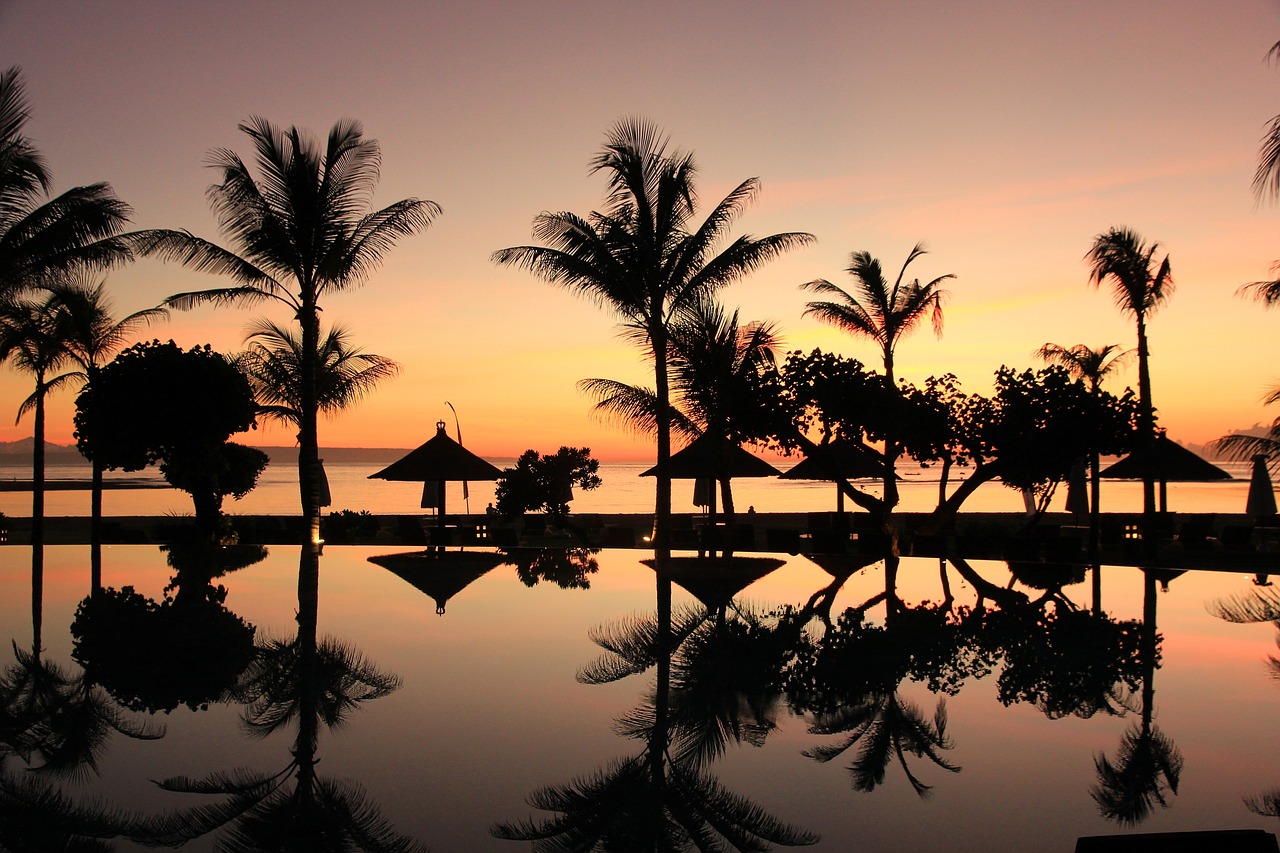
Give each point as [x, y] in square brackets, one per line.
[884, 313]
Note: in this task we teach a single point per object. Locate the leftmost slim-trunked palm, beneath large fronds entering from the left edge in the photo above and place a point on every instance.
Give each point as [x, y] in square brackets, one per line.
[31, 340]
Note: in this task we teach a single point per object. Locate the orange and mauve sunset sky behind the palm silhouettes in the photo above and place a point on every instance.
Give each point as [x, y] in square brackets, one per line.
[1004, 135]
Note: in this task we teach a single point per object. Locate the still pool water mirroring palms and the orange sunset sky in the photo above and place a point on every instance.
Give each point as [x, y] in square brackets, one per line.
[892, 706]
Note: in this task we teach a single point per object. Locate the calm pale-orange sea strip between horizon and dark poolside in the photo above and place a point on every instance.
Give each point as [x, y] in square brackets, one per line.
[623, 491]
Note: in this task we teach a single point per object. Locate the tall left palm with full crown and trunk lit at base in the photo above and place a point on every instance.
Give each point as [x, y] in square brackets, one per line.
[303, 232]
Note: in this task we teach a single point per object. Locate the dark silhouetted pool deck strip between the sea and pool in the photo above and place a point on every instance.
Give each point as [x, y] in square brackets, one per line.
[1227, 542]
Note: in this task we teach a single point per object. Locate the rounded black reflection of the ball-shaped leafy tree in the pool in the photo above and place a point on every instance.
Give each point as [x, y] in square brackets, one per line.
[154, 656]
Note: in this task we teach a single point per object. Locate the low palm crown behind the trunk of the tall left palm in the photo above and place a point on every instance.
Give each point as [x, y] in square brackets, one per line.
[273, 364]
